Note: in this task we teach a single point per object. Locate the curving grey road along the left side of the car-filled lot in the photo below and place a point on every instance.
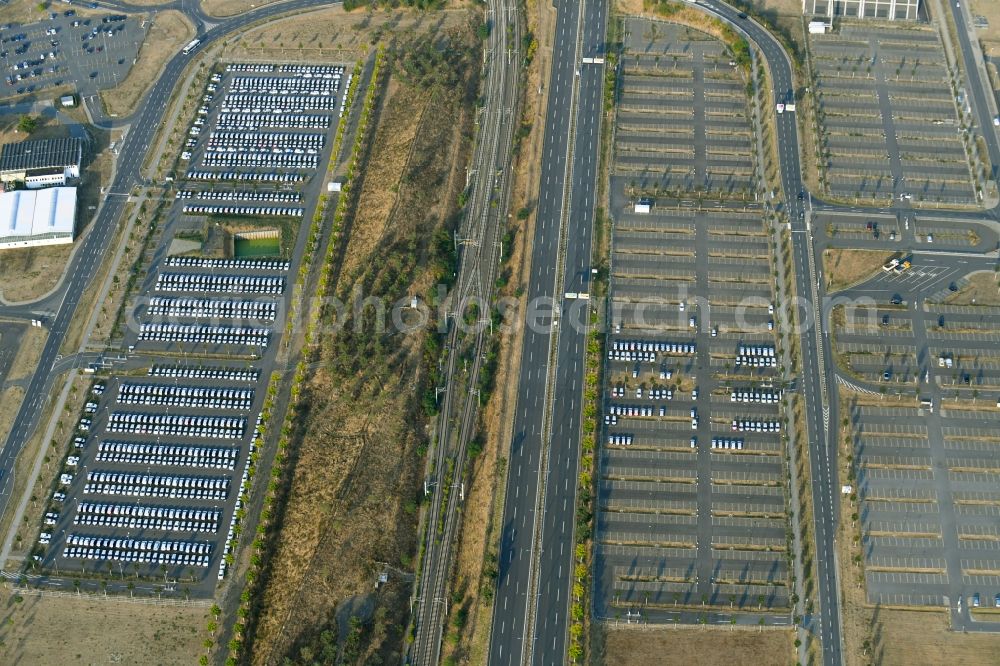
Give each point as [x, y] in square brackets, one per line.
[82, 270]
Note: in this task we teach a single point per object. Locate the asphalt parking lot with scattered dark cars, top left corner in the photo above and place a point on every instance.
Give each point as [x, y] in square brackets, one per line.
[94, 52]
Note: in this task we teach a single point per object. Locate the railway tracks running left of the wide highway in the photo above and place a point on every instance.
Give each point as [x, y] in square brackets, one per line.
[478, 263]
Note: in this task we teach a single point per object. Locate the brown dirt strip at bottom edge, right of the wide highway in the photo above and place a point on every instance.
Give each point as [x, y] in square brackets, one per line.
[684, 646]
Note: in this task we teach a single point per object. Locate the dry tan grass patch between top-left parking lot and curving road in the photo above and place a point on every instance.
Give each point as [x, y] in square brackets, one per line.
[169, 32]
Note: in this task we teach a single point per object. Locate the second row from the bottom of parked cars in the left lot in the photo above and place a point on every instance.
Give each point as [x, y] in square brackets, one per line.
[148, 517]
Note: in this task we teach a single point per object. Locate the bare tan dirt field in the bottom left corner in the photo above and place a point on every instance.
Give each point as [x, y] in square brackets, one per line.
[87, 630]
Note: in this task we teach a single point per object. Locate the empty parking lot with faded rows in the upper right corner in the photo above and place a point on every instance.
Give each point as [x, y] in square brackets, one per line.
[890, 126]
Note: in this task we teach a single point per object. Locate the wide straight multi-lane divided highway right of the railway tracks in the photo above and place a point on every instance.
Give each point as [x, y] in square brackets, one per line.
[533, 588]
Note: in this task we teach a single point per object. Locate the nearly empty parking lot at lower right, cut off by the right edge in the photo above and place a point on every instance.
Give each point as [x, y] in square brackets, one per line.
[926, 439]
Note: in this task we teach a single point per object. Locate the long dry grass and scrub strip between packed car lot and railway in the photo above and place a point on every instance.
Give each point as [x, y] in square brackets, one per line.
[355, 487]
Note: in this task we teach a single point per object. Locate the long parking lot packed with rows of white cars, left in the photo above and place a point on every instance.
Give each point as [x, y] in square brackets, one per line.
[159, 469]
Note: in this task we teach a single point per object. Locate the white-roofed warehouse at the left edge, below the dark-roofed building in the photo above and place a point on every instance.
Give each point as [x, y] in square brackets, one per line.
[29, 218]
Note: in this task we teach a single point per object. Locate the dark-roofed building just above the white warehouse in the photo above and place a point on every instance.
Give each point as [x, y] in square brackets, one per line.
[46, 163]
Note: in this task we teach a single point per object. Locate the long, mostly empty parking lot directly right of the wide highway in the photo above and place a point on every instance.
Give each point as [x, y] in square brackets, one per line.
[691, 496]
